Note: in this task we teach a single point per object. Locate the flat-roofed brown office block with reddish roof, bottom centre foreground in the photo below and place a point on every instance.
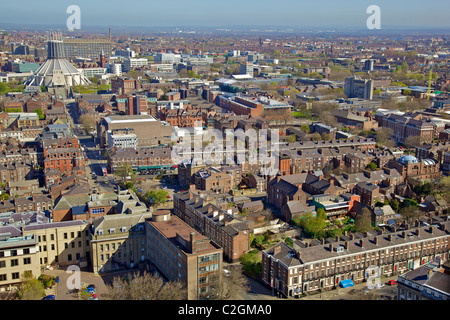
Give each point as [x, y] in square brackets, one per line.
[182, 254]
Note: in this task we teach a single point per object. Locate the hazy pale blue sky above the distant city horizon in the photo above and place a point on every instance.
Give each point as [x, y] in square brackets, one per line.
[294, 13]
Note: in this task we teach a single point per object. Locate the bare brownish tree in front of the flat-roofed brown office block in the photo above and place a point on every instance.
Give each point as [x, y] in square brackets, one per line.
[146, 286]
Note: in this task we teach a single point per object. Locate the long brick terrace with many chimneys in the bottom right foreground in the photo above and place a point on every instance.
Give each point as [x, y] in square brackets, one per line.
[305, 268]
